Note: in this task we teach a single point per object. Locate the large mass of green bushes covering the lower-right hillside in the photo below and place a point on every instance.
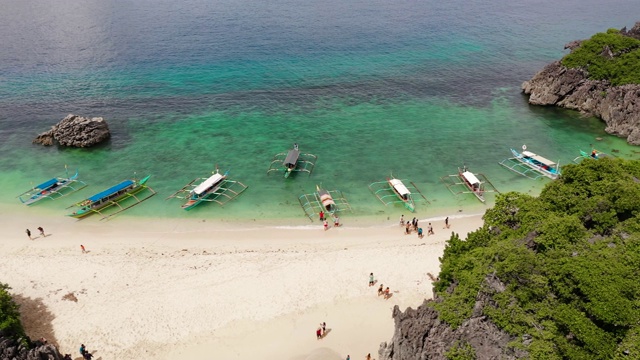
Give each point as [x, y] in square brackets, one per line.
[560, 271]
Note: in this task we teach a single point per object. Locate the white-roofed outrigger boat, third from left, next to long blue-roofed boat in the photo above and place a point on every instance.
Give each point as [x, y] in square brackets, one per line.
[217, 188]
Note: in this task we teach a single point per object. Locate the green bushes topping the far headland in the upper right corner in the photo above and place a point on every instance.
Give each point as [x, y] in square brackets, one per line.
[620, 66]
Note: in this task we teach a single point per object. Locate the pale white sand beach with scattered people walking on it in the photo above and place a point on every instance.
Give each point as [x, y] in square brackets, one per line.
[181, 289]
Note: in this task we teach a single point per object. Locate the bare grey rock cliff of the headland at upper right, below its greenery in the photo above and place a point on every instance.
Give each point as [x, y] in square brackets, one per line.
[618, 106]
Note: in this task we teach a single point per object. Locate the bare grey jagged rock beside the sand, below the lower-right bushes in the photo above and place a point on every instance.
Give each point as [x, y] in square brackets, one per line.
[420, 334]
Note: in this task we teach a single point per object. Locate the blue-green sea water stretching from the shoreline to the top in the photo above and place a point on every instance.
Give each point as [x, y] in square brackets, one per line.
[373, 88]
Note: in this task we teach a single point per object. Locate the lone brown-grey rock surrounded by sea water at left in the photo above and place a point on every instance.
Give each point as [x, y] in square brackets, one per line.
[76, 131]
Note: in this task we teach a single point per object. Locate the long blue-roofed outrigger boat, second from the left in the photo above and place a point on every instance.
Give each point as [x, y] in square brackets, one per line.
[114, 196]
